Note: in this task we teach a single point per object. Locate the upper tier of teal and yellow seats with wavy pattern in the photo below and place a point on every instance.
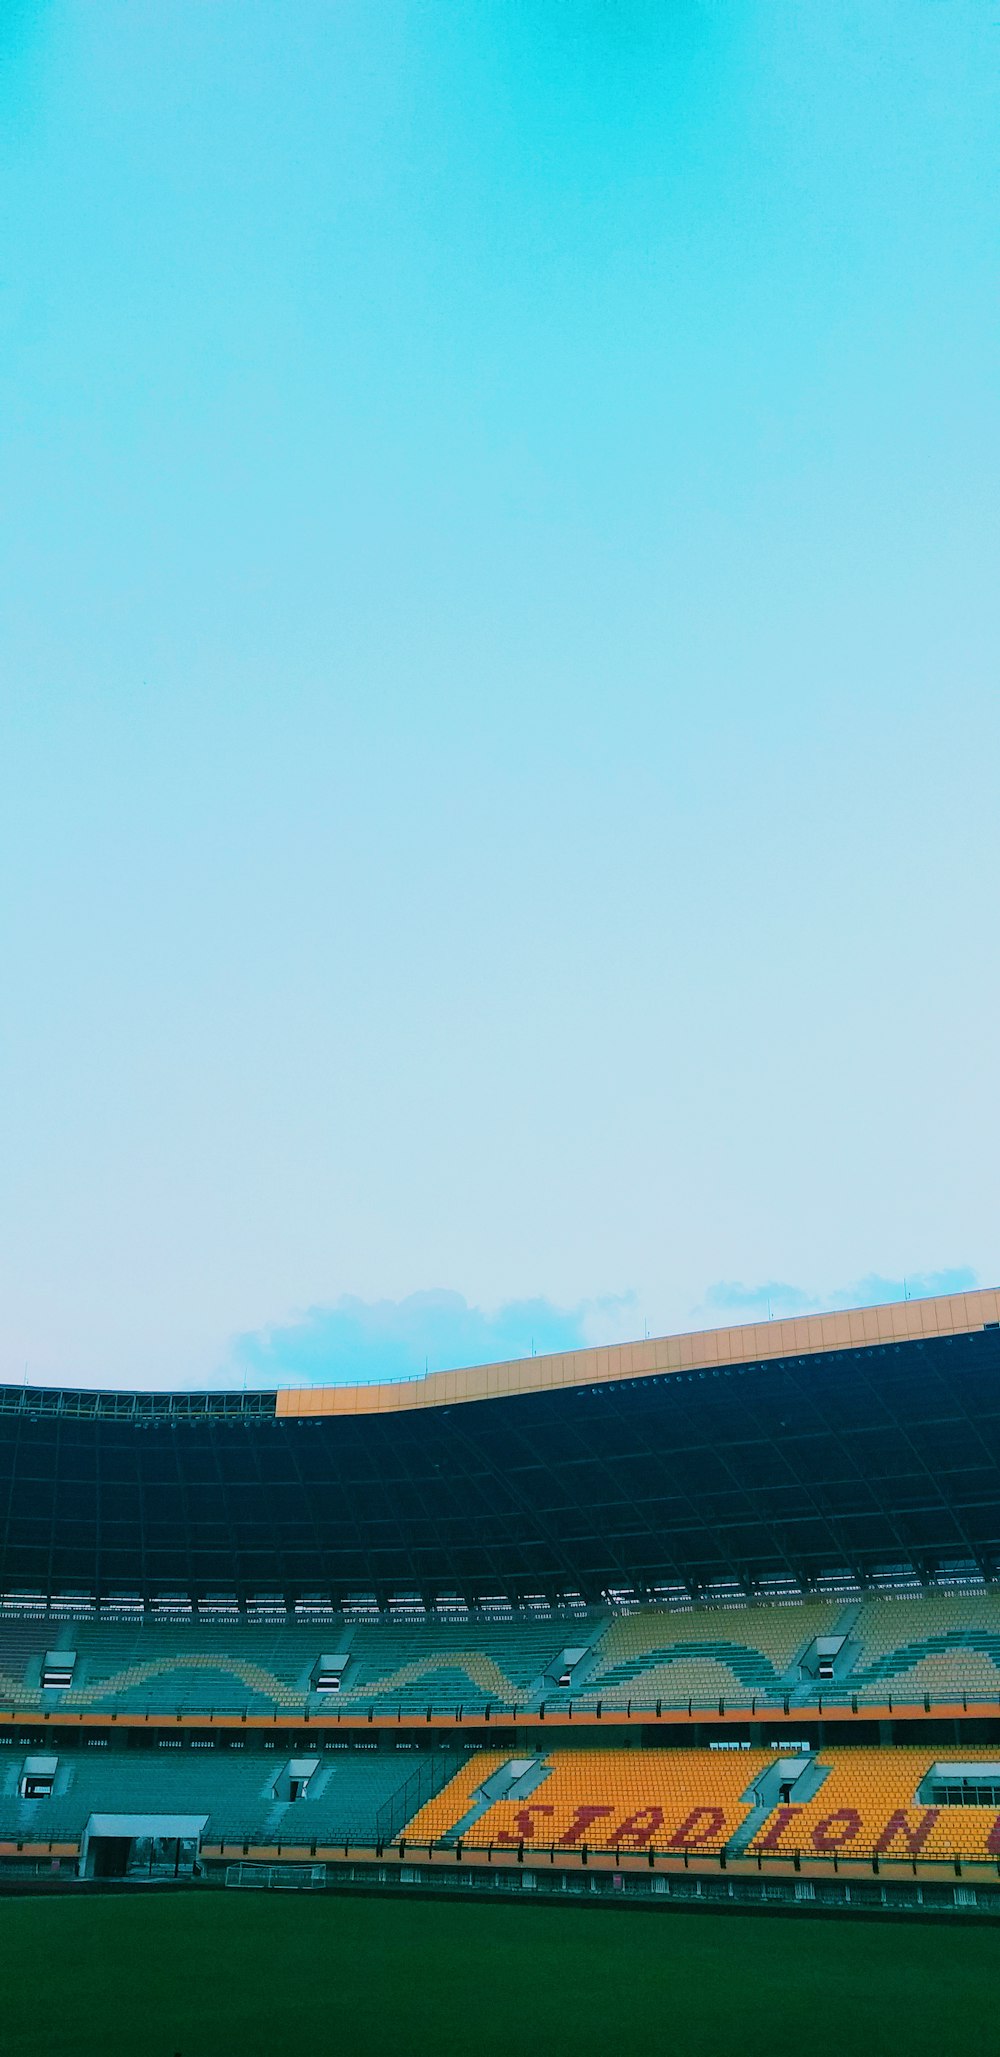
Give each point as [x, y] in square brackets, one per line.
[931, 1647]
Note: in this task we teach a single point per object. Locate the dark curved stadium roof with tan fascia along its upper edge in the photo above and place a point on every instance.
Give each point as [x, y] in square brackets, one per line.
[777, 1457]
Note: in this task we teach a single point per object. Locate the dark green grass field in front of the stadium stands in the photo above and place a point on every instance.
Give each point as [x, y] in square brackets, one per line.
[244, 1976]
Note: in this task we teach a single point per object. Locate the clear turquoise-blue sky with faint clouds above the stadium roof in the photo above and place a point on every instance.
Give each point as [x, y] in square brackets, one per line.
[499, 707]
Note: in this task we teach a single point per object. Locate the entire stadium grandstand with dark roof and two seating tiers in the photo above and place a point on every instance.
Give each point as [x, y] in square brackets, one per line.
[709, 1616]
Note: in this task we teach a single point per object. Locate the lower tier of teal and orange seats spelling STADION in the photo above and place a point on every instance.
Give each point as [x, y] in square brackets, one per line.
[896, 1803]
